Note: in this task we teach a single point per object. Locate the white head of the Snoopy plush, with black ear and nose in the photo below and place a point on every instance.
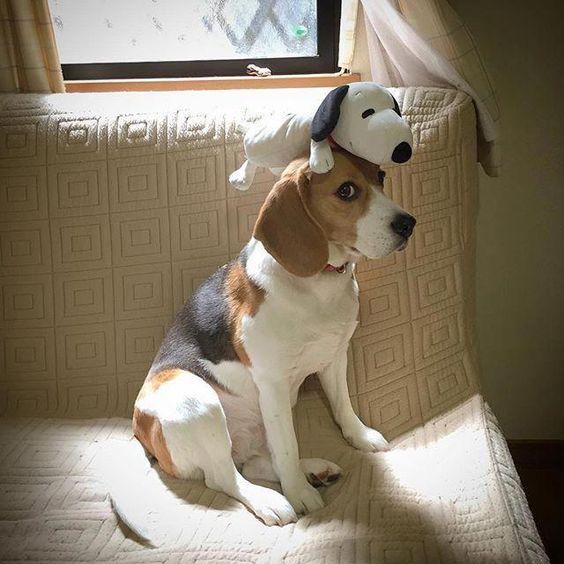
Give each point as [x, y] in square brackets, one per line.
[365, 119]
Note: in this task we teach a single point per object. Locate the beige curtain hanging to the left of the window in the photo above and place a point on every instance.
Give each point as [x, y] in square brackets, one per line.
[29, 60]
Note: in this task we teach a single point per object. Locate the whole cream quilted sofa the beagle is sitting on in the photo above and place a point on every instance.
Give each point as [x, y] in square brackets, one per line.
[113, 208]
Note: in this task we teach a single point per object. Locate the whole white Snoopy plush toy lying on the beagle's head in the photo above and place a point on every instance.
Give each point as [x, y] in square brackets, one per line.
[362, 118]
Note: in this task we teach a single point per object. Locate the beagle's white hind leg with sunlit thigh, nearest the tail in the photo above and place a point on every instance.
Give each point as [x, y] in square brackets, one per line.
[194, 427]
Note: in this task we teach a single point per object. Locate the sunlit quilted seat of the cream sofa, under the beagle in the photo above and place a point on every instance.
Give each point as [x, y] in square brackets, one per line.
[447, 492]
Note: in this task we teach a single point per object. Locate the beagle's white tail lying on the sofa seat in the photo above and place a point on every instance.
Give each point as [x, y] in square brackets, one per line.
[124, 467]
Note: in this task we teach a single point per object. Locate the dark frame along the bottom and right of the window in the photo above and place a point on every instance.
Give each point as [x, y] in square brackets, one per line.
[328, 18]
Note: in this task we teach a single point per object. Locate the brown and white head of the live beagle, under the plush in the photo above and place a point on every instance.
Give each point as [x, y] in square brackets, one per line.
[304, 212]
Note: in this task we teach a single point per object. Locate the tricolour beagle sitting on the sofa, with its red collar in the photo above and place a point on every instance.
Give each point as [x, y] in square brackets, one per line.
[217, 401]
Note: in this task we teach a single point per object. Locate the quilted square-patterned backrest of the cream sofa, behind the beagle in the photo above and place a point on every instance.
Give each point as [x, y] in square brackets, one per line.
[115, 207]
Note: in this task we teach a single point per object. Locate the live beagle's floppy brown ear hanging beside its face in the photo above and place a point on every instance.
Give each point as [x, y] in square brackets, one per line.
[287, 230]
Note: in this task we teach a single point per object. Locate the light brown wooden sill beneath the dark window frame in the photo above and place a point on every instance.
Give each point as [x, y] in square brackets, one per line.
[212, 83]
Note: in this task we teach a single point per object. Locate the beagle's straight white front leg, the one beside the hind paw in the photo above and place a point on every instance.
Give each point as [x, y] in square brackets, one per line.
[276, 409]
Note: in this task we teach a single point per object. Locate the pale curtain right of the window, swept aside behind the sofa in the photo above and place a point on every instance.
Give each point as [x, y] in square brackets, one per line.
[424, 42]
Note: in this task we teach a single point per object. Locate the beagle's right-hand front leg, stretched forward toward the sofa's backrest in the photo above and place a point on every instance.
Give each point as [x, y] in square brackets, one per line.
[334, 382]
